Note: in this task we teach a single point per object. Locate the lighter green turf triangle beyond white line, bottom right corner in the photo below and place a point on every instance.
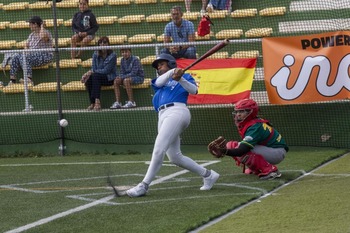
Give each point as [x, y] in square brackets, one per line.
[318, 202]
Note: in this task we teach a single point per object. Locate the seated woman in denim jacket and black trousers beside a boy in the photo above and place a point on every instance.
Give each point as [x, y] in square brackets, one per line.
[102, 73]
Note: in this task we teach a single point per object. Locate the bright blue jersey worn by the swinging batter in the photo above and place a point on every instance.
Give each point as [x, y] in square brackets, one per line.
[171, 92]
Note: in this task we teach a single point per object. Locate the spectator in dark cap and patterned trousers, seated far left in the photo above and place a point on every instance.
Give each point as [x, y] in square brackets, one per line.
[39, 38]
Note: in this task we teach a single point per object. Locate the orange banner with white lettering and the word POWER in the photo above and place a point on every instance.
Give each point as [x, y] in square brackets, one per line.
[309, 68]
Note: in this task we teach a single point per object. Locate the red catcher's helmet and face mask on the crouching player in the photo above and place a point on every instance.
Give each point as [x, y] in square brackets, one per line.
[247, 105]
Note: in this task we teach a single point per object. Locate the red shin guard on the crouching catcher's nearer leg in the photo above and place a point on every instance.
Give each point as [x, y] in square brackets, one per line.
[257, 164]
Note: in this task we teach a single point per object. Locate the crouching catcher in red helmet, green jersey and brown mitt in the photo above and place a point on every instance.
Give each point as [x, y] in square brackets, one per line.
[261, 148]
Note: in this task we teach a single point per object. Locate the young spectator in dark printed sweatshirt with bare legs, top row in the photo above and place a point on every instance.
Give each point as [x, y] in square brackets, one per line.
[84, 26]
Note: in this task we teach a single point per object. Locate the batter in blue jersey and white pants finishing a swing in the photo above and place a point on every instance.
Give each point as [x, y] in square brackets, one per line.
[172, 88]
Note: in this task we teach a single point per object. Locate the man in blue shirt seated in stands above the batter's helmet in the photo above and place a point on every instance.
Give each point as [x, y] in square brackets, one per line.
[179, 30]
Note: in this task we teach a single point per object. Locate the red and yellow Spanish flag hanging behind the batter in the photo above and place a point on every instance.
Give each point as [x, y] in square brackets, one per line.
[220, 81]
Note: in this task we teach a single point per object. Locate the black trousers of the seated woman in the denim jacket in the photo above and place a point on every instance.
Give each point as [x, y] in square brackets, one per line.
[93, 86]
